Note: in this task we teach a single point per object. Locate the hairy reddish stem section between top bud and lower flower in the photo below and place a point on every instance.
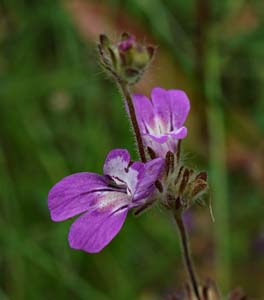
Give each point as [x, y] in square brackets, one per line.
[125, 90]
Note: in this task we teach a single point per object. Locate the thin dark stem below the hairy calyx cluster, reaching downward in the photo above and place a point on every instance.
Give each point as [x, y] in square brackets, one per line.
[187, 254]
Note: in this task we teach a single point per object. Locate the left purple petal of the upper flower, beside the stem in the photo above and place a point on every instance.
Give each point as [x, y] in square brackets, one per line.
[144, 112]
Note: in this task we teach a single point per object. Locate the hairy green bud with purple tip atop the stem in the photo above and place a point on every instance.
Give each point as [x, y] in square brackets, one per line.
[126, 60]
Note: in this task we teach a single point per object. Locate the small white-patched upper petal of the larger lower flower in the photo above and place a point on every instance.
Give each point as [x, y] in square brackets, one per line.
[116, 164]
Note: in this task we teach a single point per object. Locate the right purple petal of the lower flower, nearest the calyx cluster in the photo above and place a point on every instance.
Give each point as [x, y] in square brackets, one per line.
[152, 172]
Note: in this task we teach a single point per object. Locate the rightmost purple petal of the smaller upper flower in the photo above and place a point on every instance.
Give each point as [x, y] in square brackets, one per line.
[180, 107]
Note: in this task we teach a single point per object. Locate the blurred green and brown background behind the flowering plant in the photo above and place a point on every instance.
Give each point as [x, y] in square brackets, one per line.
[60, 114]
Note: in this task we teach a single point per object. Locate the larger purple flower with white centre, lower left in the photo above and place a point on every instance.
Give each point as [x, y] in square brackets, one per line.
[103, 201]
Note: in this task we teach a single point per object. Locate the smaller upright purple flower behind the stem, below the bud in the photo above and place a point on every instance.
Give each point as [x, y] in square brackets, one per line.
[161, 119]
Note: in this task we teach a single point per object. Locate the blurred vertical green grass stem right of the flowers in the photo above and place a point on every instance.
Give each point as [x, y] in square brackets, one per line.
[217, 161]
